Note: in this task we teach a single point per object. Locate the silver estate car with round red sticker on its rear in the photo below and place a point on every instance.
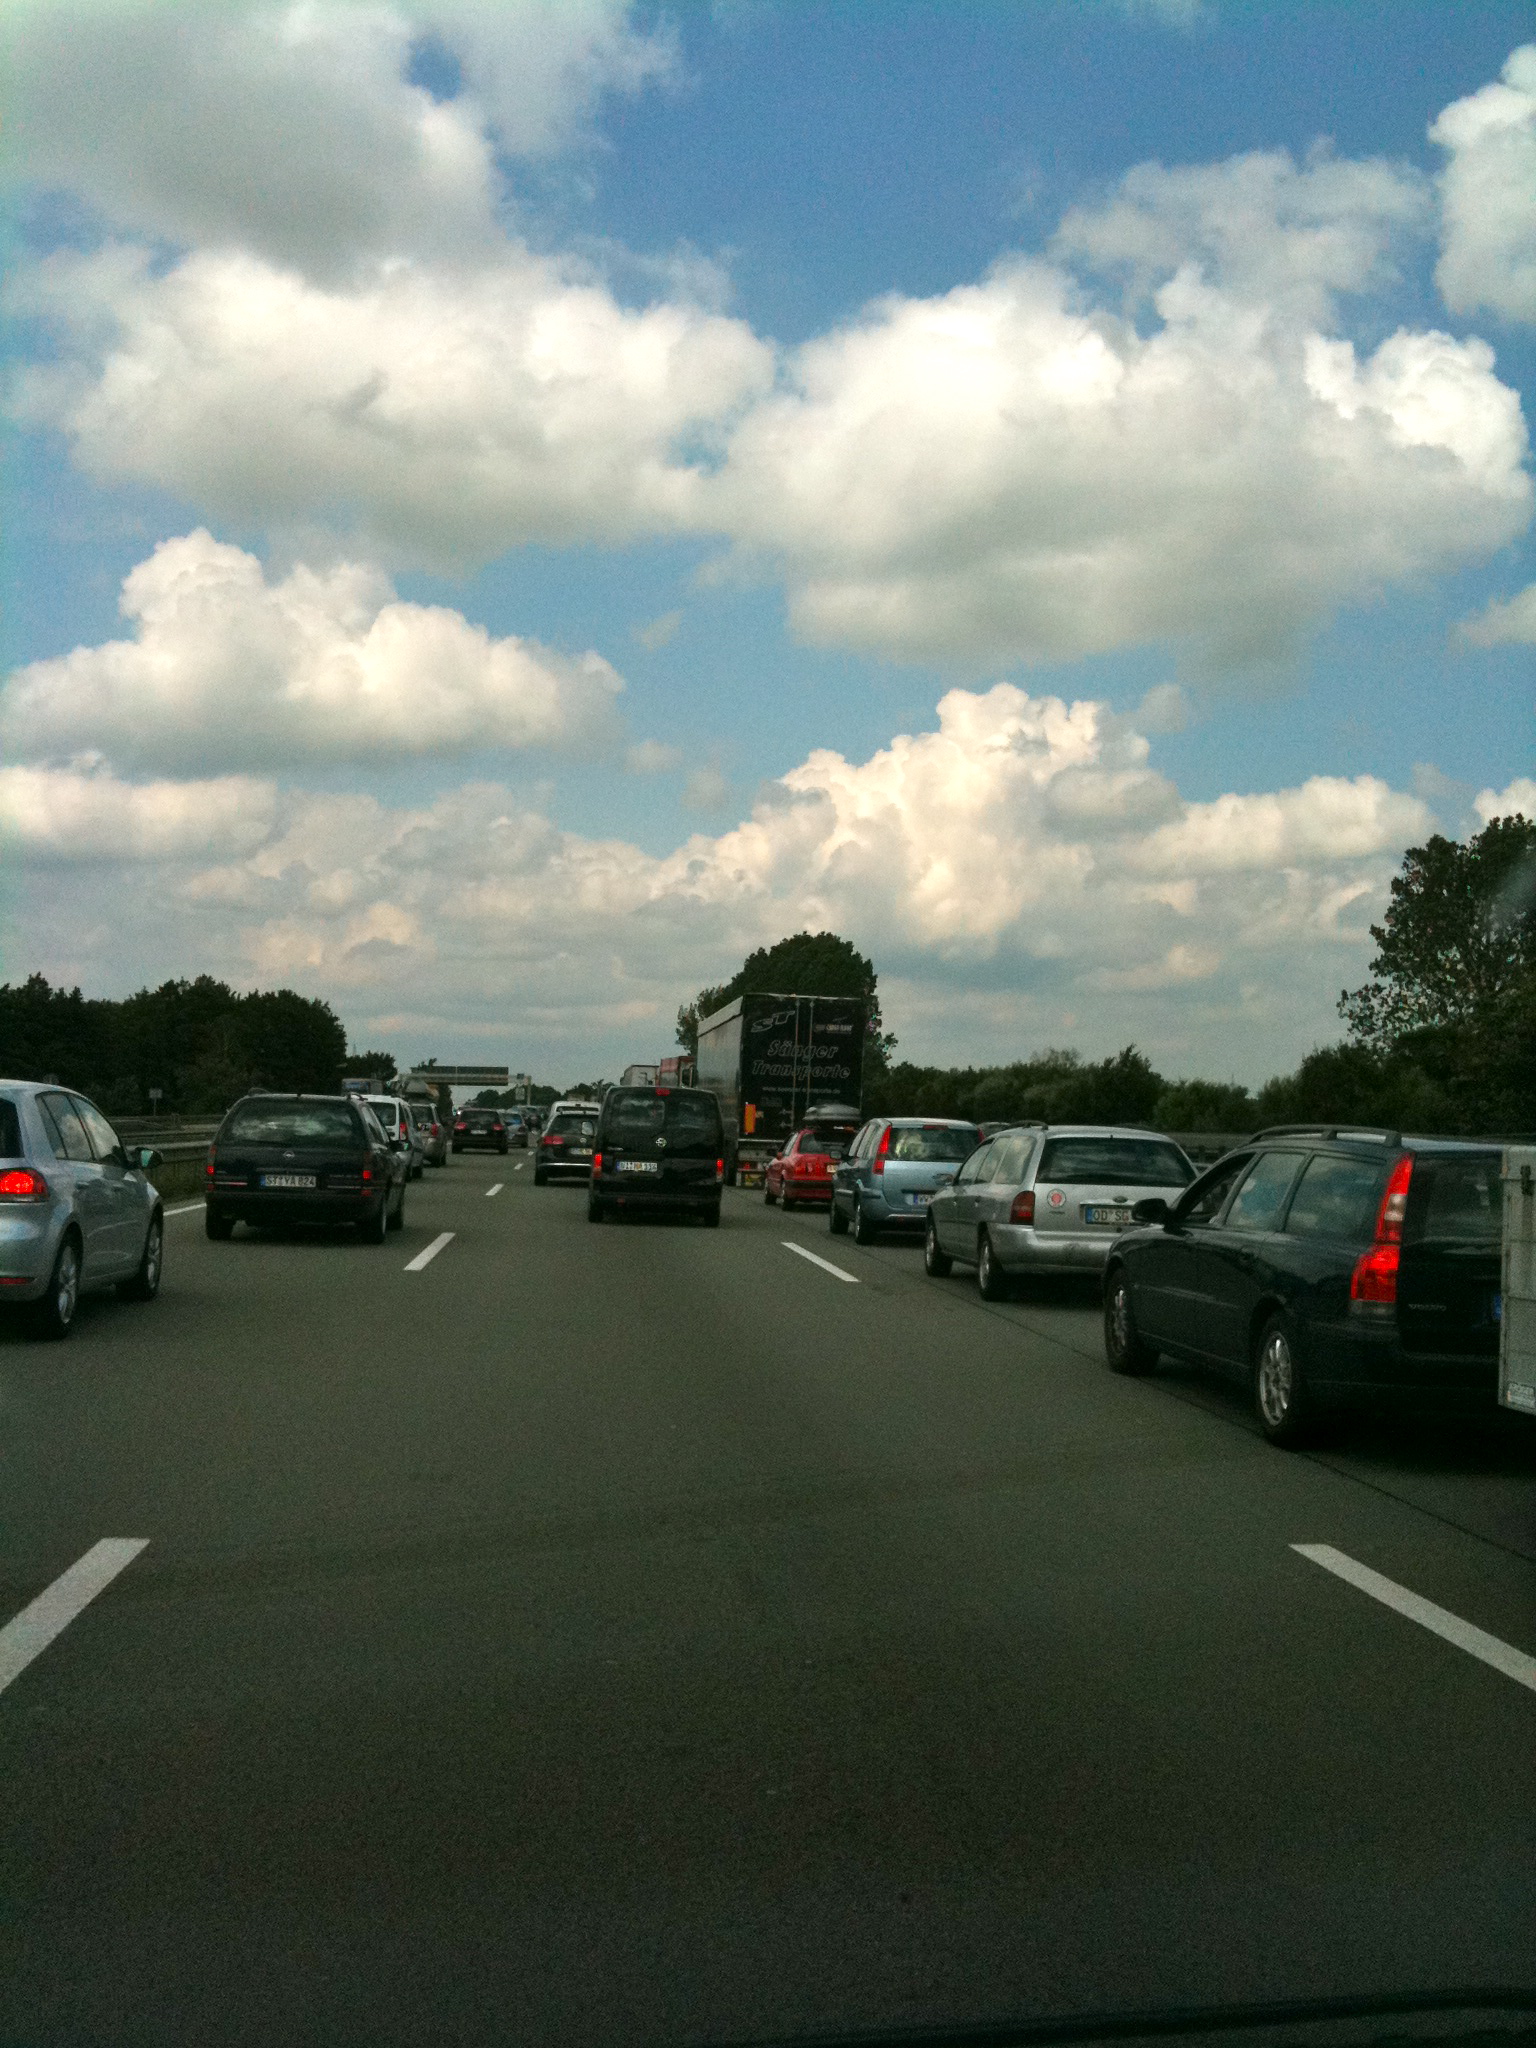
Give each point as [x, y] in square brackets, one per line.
[1048, 1199]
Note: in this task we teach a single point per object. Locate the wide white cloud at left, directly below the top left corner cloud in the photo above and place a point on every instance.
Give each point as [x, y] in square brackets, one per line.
[450, 413]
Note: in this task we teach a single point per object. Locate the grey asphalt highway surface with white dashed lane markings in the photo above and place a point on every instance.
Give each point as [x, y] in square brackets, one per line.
[648, 1635]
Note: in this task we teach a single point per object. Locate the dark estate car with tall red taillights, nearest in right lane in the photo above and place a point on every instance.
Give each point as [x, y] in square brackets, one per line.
[1324, 1269]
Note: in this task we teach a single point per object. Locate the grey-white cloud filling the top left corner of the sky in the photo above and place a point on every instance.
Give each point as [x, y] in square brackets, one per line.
[294, 130]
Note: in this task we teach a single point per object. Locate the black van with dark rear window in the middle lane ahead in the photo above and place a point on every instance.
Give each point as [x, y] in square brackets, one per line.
[658, 1148]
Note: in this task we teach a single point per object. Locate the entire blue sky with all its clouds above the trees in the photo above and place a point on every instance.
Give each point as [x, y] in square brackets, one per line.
[855, 486]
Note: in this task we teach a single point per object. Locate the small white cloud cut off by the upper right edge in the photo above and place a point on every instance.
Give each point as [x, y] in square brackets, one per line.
[1488, 196]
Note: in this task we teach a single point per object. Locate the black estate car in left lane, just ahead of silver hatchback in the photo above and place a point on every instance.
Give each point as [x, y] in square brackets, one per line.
[306, 1160]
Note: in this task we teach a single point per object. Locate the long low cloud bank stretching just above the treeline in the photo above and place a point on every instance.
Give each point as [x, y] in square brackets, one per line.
[1019, 871]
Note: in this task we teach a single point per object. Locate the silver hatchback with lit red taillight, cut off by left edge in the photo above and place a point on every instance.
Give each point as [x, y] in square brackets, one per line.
[77, 1207]
